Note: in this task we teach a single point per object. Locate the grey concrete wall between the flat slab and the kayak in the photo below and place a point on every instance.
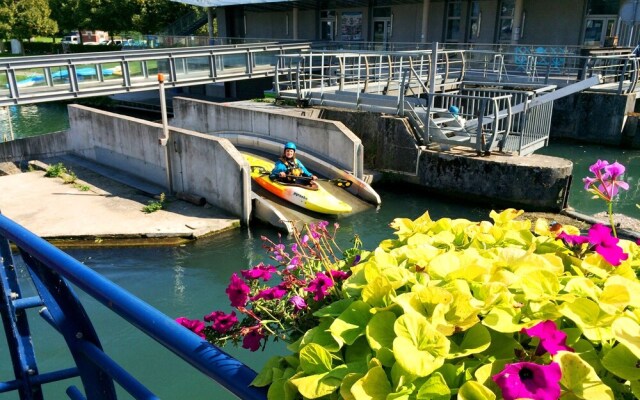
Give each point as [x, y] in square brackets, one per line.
[199, 164]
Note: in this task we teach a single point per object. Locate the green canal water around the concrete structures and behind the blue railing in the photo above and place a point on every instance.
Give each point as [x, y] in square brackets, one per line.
[190, 280]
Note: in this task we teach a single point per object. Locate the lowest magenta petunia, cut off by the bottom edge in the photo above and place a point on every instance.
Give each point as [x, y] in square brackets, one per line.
[526, 380]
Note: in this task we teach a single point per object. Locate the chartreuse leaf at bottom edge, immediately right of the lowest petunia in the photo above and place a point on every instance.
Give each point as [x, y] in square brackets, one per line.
[579, 380]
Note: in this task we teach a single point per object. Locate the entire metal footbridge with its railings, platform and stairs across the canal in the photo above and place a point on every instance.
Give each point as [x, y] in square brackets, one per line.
[501, 107]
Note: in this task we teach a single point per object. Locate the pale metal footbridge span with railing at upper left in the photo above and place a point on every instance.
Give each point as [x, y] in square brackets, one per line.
[58, 77]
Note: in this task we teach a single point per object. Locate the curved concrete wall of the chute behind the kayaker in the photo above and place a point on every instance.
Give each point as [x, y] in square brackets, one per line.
[330, 140]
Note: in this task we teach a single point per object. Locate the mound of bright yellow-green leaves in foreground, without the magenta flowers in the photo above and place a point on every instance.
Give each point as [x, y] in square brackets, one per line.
[438, 311]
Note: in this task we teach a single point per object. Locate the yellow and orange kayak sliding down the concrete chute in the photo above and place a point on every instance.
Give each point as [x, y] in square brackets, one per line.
[312, 197]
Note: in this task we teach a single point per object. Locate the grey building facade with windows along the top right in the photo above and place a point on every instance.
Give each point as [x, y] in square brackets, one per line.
[583, 23]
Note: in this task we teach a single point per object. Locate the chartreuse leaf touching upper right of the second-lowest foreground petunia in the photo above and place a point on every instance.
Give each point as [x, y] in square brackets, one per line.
[595, 323]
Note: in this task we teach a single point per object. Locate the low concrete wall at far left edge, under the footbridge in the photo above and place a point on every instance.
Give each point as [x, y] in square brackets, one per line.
[35, 147]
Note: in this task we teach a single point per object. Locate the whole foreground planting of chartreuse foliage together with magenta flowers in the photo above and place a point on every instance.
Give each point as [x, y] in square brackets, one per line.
[447, 309]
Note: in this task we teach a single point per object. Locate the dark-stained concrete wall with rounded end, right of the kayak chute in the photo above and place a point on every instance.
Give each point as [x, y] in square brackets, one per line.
[532, 182]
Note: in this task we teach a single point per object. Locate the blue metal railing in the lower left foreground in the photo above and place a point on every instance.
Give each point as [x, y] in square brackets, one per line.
[51, 271]
